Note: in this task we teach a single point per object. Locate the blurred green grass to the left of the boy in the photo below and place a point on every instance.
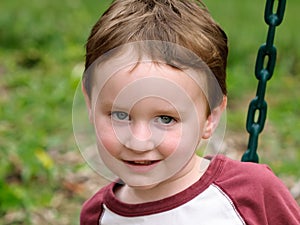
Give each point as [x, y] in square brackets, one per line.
[40, 43]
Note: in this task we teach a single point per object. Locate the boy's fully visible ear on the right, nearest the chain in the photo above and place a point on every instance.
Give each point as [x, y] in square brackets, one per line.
[213, 119]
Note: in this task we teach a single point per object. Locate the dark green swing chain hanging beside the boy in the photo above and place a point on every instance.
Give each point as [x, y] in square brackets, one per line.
[257, 111]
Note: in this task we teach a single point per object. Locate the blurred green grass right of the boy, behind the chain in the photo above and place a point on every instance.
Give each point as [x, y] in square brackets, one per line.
[243, 21]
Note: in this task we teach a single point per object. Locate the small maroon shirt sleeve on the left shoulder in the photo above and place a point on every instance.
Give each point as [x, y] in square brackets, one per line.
[92, 209]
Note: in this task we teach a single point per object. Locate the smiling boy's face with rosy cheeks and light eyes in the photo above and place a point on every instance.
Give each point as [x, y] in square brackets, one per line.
[149, 119]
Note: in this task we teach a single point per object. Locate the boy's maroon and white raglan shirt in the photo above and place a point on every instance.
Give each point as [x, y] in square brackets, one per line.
[252, 192]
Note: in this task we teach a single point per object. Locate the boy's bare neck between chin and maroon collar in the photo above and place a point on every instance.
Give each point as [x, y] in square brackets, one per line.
[190, 174]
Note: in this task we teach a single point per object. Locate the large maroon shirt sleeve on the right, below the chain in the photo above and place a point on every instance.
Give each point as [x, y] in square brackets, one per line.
[259, 196]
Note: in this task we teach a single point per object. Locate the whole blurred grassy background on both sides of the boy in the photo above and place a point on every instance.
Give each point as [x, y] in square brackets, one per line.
[41, 59]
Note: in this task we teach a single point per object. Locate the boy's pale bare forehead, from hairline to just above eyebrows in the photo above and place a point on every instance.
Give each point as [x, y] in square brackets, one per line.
[148, 78]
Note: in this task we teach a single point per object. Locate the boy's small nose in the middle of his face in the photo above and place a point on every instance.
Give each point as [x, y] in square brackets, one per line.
[140, 138]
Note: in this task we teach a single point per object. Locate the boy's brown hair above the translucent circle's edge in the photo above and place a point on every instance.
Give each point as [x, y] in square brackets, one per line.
[183, 22]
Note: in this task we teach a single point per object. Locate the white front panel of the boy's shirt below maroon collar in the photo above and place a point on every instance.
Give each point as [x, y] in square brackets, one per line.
[211, 207]
